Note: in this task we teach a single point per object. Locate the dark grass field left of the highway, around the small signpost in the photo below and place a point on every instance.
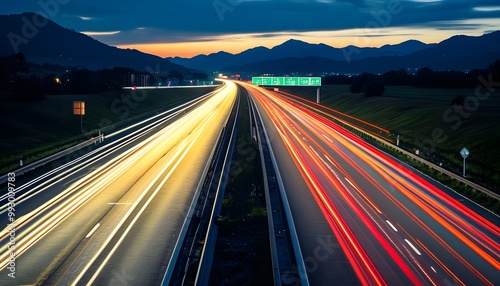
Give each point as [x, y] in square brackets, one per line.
[37, 129]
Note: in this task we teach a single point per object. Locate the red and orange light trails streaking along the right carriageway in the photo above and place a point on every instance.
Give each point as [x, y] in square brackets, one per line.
[314, 142]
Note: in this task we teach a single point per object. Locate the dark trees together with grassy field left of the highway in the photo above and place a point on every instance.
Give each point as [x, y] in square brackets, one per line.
[36, 104]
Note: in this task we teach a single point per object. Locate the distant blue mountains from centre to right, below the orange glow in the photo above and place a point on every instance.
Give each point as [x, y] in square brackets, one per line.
[293, 56]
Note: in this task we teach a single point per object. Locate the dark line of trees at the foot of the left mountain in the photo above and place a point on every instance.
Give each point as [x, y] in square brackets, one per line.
[29, 82]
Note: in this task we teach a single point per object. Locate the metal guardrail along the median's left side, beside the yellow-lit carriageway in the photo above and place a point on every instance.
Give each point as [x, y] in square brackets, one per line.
[177, 271]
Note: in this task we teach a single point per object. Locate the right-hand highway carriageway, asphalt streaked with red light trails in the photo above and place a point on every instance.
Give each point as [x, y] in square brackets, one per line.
[362, 217]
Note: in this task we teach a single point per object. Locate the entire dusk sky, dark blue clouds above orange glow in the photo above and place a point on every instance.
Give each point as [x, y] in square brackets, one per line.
[186, 28]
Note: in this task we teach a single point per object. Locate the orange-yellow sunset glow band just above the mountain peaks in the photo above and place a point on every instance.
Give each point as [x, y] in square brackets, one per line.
[238, 43]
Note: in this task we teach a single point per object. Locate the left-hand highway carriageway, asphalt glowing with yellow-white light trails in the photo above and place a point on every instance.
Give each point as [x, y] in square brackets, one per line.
[113, 216]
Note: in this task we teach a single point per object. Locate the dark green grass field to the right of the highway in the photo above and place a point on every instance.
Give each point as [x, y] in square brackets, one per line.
[426, 120]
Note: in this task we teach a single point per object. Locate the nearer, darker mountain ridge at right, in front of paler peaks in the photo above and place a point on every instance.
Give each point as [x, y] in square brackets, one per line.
[460, 53]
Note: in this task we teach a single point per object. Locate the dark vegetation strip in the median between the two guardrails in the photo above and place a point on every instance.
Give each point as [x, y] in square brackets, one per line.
[242, 253]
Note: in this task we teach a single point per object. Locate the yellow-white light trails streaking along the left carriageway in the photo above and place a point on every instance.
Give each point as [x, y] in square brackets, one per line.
[139, 150]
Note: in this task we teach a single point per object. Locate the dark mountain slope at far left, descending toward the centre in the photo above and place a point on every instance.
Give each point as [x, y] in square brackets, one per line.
[43, 41]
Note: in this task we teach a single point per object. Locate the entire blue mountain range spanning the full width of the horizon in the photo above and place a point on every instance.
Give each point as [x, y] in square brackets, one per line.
[43, 41]
